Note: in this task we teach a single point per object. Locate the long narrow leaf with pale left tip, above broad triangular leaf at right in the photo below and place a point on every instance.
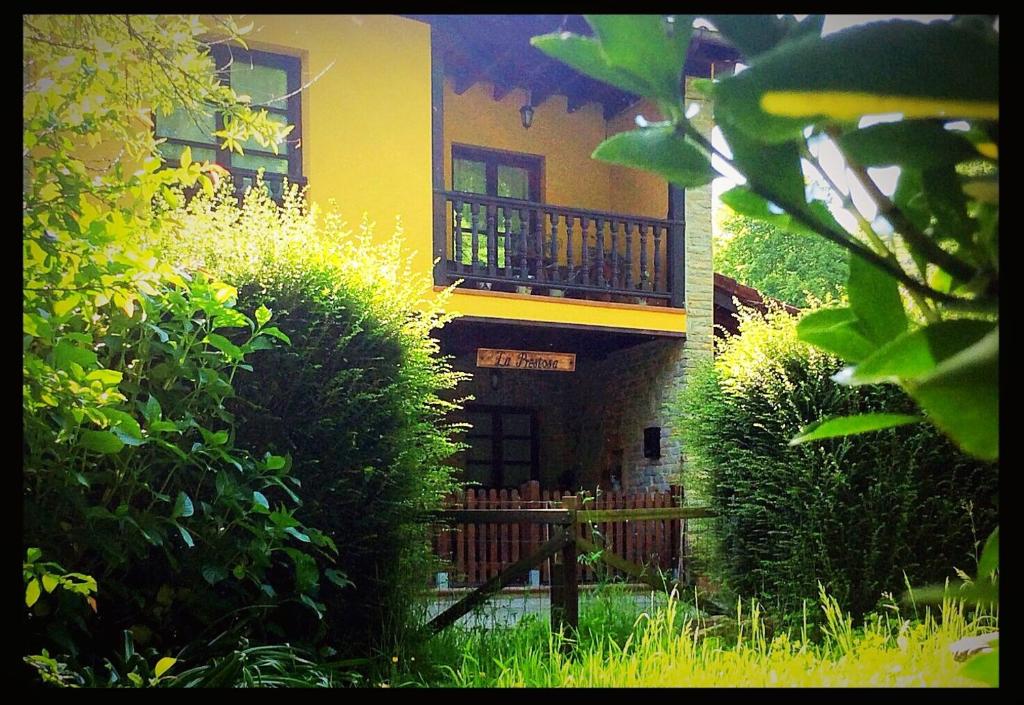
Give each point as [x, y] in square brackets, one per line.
[917, 353]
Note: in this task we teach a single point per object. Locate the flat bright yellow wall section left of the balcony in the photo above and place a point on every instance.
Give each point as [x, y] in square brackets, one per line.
[366, 121]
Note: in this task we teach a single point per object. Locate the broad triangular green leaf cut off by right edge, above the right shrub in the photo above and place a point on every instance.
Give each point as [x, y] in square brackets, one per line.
[962, 397]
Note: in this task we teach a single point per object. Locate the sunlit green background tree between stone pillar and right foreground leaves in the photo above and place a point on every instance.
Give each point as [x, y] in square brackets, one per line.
[793, 268]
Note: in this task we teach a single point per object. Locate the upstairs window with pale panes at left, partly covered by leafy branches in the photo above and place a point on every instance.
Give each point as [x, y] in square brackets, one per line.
[273, 82]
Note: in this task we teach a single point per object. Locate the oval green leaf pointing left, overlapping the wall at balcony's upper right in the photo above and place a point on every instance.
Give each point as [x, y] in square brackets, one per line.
[661, 150]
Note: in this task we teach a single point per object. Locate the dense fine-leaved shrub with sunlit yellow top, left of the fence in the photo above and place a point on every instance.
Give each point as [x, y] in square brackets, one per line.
[354, 400]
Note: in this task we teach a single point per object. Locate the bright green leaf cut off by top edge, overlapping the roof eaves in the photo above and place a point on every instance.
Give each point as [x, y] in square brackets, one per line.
[641, 46]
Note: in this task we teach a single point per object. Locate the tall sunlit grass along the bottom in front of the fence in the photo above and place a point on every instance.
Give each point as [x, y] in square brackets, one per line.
[670, 647]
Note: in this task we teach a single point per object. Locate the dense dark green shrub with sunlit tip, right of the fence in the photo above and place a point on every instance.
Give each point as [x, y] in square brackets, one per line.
[854, 513]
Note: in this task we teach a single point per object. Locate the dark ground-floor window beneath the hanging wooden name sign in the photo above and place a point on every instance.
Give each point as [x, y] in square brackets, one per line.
[503, 447]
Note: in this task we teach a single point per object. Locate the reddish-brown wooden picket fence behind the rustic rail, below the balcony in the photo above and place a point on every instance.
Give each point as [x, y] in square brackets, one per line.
[478, 553]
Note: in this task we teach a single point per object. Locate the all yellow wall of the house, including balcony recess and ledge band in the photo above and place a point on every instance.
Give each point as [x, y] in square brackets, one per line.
[367, 144]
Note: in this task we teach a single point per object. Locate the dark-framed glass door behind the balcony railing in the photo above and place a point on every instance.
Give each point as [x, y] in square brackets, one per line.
[502, 175]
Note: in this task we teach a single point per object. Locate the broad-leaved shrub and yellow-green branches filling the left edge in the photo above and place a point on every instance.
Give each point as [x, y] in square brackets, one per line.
[133, 477]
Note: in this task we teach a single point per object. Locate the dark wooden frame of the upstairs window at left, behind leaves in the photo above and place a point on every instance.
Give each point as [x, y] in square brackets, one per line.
[224, 57]
